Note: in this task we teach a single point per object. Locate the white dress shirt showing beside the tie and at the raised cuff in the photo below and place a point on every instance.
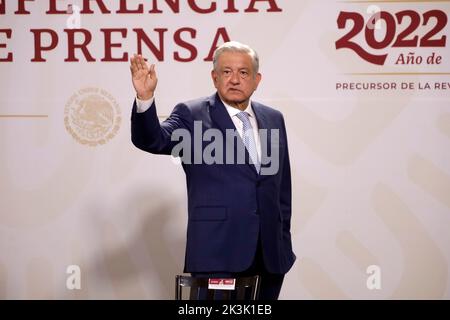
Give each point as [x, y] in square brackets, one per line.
[144, 105]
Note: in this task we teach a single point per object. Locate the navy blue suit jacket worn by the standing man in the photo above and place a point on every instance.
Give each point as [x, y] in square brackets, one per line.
[229, 205]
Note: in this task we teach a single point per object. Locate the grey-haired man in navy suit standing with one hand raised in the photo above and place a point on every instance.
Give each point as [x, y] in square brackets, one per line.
[239, 203]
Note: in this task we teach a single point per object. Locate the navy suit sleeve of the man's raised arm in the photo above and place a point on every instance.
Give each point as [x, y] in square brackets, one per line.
[148, 134]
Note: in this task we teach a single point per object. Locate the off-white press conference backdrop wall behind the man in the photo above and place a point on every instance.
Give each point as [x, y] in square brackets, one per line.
[371, 168]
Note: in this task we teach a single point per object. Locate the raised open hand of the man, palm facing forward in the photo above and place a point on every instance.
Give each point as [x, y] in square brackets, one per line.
[144, 78]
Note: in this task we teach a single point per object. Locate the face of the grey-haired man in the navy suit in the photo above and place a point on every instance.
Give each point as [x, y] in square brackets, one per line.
[235, 79]
